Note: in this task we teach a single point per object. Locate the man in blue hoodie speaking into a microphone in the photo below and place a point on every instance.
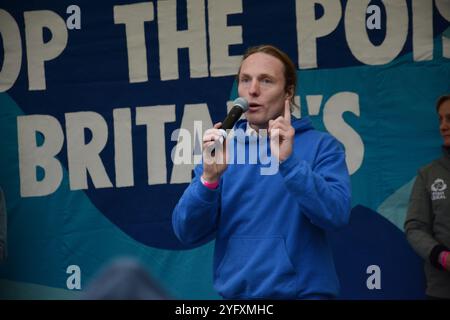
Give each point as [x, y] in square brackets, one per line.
[270, 230]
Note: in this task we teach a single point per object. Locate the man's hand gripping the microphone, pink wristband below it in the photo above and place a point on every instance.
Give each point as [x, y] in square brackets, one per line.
[214, 154]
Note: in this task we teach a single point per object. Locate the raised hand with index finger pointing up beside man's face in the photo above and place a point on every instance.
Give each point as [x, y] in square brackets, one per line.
[281, 134]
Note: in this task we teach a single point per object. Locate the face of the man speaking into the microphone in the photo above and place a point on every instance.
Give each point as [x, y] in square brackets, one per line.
[262, 83]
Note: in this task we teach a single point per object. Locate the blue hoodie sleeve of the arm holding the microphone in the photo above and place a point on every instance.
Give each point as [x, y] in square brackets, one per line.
[196, 214]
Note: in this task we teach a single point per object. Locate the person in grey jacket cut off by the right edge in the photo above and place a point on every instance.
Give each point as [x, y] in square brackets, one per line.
[427, 223]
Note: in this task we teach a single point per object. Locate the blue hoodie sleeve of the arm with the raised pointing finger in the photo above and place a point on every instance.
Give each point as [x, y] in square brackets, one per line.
[323, 189]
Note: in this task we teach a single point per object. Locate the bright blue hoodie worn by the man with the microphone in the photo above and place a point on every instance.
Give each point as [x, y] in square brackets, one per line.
[270, 229]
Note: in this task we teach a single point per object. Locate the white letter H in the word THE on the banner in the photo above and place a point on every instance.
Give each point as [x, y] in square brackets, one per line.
[170, 40]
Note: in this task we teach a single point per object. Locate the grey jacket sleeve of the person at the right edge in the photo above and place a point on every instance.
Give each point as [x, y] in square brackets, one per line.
[419, 223]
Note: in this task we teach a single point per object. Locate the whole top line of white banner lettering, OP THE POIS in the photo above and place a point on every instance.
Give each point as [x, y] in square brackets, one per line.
[195, 38]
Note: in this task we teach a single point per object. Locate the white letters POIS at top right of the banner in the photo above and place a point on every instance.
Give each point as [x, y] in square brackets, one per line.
[309, 29]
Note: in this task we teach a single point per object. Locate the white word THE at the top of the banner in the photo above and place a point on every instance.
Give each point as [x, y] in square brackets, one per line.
[171, 39]
